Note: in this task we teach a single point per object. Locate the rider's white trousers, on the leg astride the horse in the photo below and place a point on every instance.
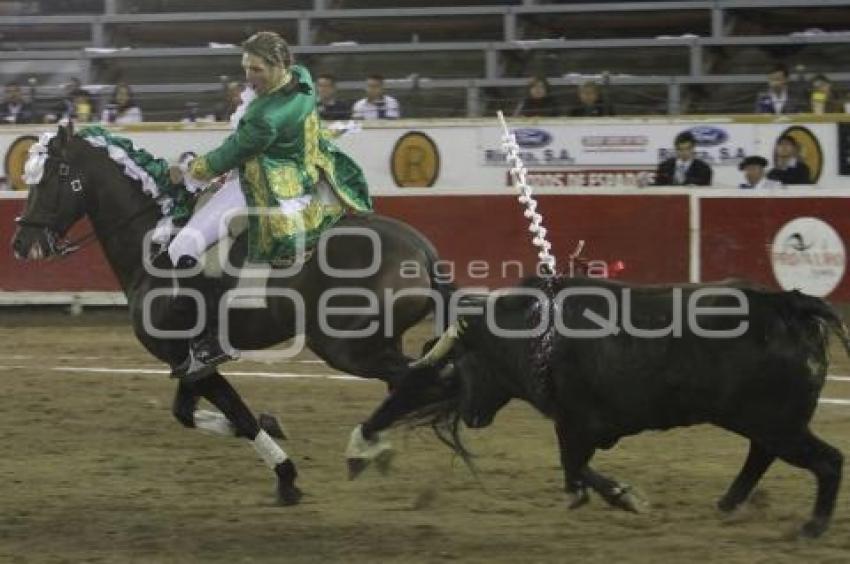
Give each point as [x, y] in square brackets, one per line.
[205, 227]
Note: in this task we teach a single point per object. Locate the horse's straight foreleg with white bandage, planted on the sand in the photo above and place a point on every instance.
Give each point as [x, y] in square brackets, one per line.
[221, 394]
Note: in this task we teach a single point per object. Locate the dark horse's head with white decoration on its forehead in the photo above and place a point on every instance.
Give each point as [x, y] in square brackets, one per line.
[56, 200]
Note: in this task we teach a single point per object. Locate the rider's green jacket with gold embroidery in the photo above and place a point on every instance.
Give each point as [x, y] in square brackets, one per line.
[279, 149]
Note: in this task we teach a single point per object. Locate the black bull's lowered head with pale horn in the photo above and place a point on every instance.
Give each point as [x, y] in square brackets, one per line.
[482, 392]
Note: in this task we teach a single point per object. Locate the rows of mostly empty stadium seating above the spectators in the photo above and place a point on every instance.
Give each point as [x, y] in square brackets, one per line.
[441, 57]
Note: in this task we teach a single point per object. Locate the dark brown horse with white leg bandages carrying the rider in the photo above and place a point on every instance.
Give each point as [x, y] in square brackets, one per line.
[395, 290]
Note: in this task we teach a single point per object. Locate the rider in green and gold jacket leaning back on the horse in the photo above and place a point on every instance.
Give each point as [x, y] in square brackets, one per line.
[282, 170]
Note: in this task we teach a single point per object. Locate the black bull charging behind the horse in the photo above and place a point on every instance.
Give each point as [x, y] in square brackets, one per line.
[760, 380]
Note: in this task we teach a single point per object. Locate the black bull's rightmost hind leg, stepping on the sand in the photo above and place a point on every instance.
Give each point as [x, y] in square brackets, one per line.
[825, 462]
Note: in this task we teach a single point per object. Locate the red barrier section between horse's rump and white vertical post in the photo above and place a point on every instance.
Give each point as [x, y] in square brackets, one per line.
[649, 233]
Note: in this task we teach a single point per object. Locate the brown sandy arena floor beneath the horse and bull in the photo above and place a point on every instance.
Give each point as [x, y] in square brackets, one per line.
[94, 469]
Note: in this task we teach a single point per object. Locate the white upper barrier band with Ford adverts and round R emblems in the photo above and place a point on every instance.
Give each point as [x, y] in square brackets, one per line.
[464, 156]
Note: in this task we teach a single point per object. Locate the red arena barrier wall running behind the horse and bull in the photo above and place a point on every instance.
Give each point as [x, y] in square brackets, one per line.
[649, 232]
